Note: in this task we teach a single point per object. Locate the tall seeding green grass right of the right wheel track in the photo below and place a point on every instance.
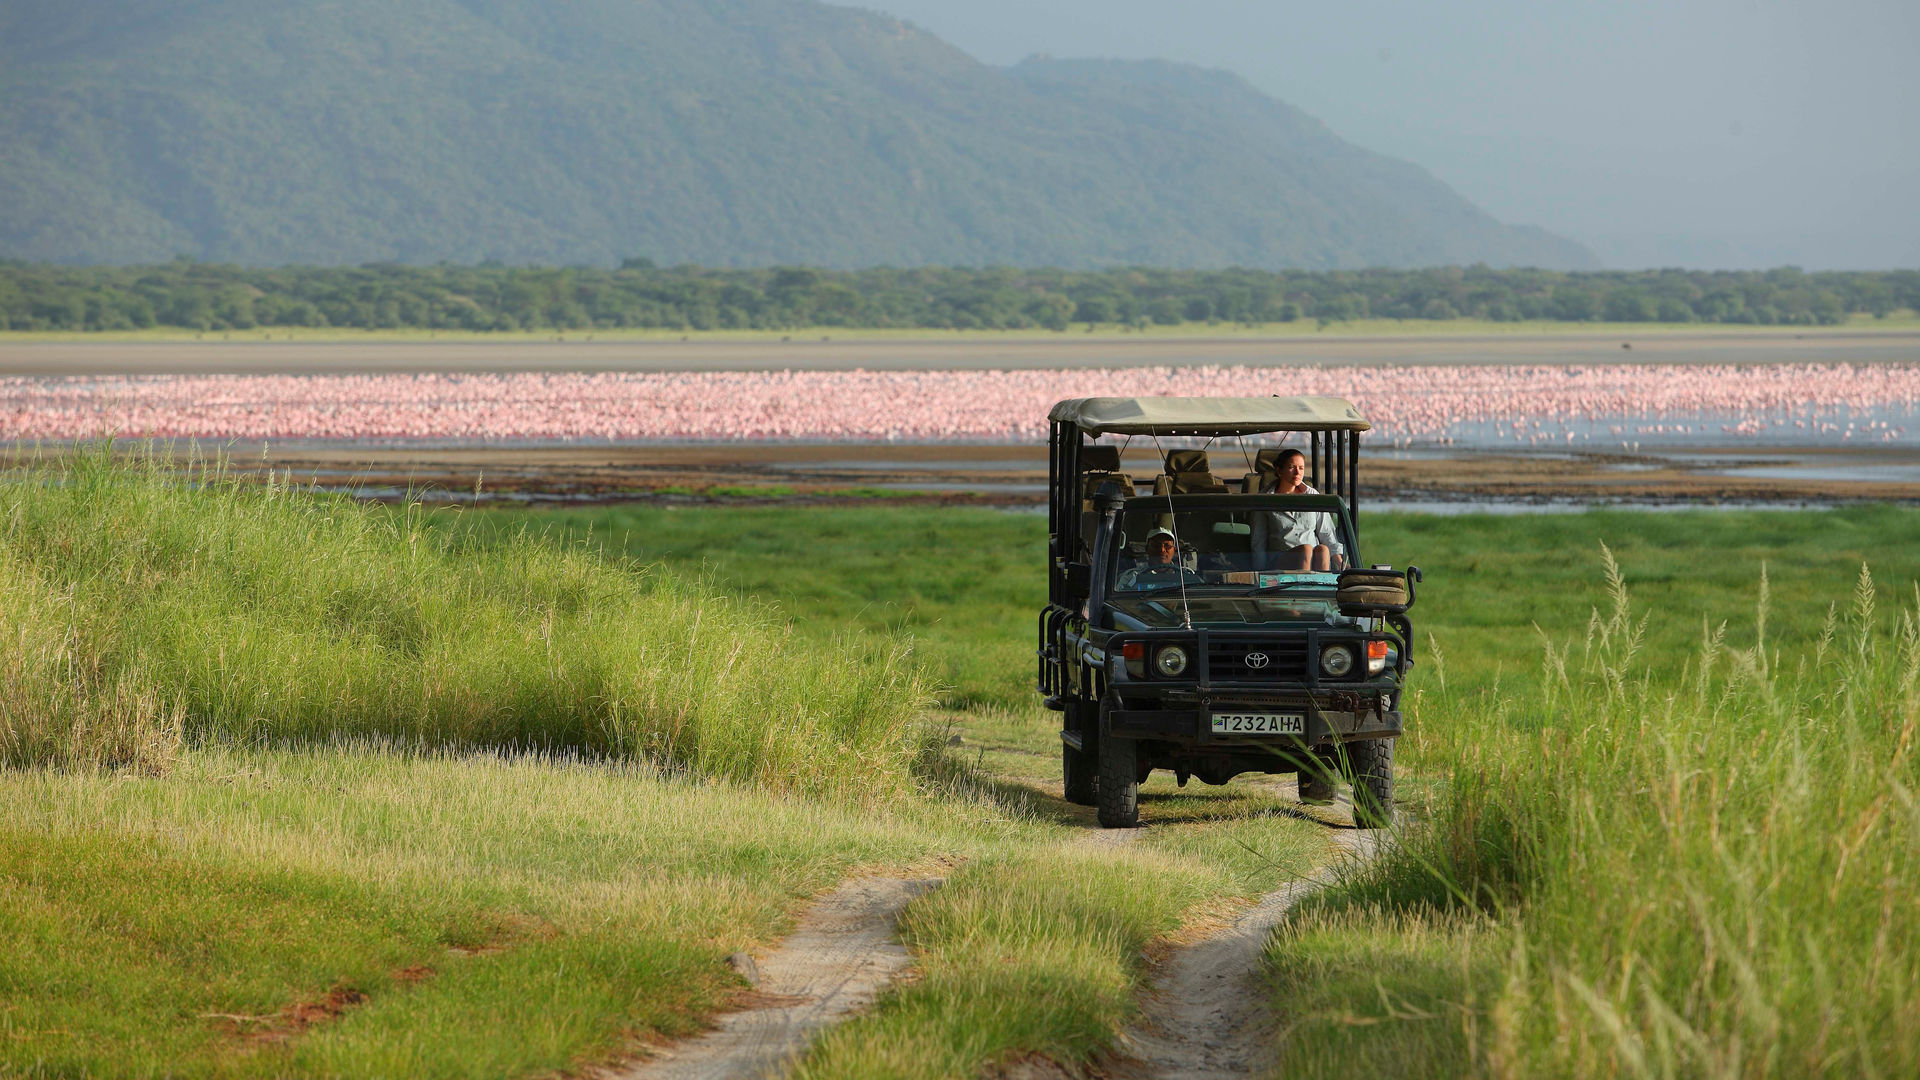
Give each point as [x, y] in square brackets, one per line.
[1650, 862]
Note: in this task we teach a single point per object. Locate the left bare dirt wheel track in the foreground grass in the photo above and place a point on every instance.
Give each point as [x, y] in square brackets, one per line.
[840, 958]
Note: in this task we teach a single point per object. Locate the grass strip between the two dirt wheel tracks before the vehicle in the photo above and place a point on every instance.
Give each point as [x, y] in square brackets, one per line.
[1040, 948]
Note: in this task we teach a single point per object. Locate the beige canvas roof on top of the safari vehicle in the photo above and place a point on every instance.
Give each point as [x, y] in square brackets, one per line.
[1207, 416]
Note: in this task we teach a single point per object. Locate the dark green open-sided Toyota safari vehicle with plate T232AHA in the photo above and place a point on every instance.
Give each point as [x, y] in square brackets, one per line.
[1230, 650]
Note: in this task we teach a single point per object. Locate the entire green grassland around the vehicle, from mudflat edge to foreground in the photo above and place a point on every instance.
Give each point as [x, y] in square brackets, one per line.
[1656, 873]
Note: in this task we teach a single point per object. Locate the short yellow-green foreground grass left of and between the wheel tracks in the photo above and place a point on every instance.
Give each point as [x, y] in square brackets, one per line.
[523, 916]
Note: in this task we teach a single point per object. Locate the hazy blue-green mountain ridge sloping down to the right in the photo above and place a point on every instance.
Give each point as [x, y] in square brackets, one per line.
[708, 132]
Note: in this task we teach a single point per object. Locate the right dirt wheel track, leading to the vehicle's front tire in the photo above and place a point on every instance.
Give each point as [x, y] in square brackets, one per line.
[1207, 1014]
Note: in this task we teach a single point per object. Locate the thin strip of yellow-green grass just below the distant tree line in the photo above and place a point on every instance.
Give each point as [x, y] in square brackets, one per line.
[1301, 328]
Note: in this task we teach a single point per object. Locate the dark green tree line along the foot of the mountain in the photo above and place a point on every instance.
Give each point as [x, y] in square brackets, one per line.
[638, 295]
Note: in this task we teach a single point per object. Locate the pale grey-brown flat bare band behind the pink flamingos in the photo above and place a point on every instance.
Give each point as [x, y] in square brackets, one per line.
[823, 353]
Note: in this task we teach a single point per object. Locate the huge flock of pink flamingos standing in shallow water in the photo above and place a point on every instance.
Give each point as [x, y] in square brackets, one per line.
[1441, 405]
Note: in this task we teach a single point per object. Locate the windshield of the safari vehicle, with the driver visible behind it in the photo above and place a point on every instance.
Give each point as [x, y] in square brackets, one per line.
[1228, 549]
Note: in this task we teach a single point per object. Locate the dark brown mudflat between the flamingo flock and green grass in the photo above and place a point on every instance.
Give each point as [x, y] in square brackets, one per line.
[1017, 476]
